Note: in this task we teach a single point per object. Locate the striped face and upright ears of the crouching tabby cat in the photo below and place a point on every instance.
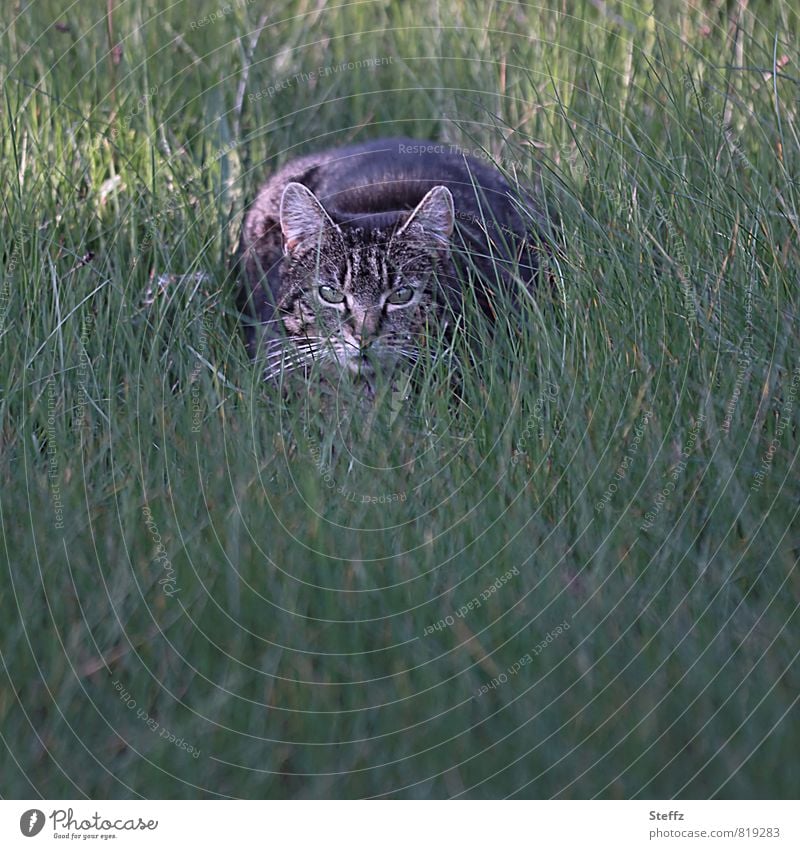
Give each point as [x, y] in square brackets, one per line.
[359, 298]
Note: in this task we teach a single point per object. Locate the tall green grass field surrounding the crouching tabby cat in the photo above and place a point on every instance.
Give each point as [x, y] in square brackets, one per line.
[579, 579]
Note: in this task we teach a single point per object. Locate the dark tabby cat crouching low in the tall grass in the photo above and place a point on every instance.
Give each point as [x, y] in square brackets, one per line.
[351, 255]
